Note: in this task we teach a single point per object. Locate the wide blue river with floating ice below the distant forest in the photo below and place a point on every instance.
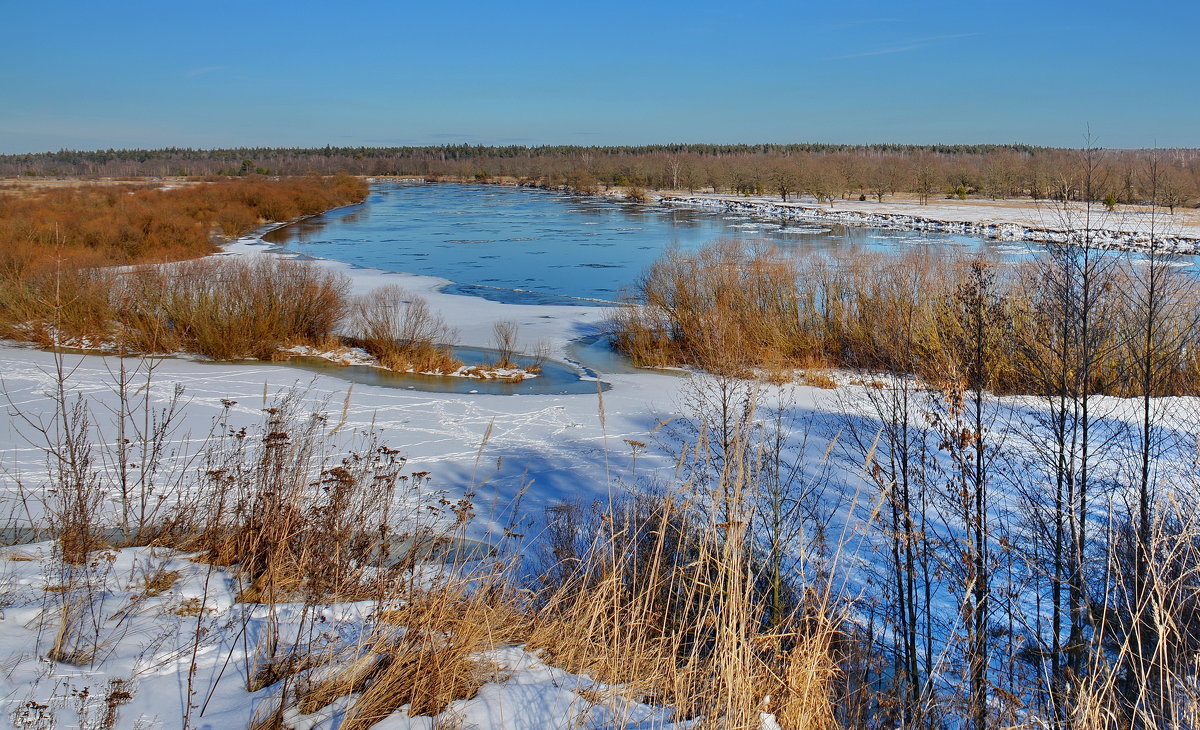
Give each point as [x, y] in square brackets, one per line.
[521, 246]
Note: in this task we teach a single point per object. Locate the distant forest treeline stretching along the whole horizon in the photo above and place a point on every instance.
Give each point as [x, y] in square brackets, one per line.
[824, 171]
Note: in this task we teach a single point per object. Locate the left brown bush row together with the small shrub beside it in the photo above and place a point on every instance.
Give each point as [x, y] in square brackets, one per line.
[230, 309]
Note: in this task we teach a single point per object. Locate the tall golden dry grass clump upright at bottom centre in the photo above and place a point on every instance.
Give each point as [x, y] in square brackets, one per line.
[662, 605]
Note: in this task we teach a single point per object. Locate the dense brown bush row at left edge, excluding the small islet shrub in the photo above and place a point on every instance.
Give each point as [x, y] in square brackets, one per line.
[224, 309]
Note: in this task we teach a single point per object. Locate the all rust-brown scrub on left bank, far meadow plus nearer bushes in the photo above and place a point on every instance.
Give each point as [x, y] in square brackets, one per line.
[56, 246]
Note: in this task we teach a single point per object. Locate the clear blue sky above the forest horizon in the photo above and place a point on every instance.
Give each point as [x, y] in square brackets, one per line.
[190, 74]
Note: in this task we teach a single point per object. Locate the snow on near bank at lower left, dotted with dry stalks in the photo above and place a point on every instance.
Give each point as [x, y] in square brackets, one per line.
[170, 633]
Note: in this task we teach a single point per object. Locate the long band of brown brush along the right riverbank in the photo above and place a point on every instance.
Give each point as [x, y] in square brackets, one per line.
[737, 310]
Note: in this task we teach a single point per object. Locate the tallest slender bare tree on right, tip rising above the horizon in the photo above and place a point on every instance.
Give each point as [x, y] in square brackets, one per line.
[1071, 303]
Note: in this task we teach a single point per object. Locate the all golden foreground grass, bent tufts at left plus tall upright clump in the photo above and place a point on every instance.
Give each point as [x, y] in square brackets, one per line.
[662, 629]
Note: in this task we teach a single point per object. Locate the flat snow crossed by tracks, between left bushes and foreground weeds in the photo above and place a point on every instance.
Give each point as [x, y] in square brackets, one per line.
[557, 440]
